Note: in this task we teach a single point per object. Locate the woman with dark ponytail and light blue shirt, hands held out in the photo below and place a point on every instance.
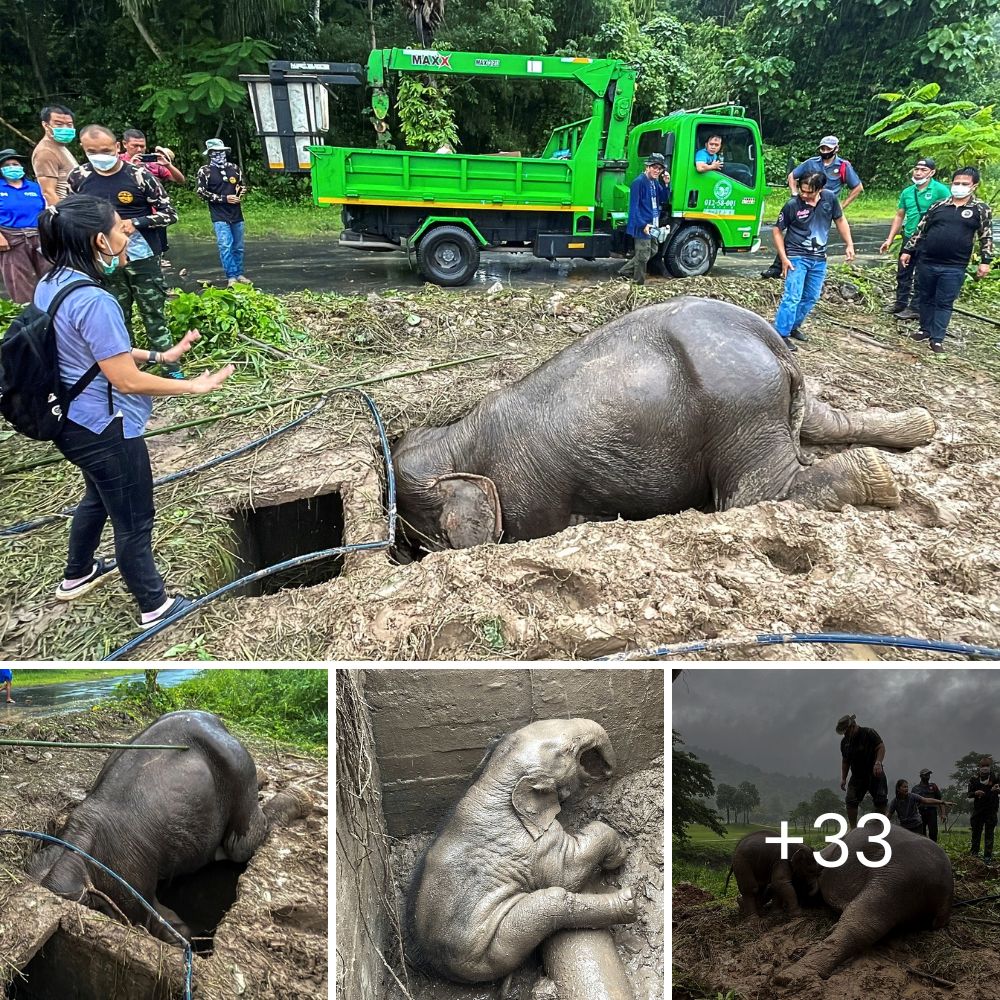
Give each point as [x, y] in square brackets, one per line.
[102, 436]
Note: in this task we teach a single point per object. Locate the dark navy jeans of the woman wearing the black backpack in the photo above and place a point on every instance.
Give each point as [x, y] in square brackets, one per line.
[119, 485]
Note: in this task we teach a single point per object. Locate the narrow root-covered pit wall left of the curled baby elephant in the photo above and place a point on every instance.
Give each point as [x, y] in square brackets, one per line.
[359, 881]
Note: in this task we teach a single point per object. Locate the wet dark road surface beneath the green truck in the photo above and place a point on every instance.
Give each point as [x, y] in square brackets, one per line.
[279, 265]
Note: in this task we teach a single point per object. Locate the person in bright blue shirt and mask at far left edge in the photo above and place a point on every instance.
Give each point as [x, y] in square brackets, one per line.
[21, 260]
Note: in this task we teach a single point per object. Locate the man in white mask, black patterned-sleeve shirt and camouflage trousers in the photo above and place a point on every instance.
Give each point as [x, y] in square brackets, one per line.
[144, 207]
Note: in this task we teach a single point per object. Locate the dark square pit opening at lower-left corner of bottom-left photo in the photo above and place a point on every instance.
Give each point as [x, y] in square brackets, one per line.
[74, 968]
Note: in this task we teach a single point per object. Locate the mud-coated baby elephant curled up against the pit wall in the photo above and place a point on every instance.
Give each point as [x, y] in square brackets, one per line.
[502, 875]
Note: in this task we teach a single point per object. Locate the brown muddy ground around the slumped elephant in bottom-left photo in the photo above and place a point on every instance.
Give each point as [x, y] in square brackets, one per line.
[272, 942]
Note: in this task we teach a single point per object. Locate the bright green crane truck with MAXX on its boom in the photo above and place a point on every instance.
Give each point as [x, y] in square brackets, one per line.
[569, 201]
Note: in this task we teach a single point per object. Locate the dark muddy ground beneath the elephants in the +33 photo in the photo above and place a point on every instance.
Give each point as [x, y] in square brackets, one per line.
[714, 953]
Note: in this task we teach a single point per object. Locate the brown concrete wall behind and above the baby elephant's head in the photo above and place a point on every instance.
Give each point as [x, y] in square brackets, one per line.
[432, 726]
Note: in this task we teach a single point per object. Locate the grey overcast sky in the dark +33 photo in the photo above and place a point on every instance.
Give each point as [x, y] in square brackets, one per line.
[784, 720]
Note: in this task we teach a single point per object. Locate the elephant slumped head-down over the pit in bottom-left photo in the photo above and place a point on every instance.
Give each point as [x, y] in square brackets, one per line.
[157, 814]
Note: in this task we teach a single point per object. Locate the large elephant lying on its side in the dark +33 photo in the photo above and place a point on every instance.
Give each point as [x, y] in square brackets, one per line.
[915, 889]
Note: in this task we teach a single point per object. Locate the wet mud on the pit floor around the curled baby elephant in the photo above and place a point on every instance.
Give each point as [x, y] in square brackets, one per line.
[633, 805]
